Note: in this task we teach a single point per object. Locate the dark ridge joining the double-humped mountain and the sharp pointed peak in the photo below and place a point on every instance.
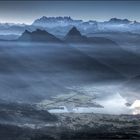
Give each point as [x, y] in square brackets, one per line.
[73, 36]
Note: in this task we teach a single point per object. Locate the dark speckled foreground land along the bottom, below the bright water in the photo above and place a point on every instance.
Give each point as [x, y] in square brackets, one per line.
[73, 126]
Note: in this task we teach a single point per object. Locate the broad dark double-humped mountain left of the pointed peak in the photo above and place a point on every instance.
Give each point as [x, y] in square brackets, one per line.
[38, 36]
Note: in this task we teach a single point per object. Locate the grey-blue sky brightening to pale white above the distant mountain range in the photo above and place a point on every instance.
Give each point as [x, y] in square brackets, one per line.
[28, 11]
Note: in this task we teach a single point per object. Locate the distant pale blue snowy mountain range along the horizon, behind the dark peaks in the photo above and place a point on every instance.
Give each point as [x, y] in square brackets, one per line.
[60, 26]
